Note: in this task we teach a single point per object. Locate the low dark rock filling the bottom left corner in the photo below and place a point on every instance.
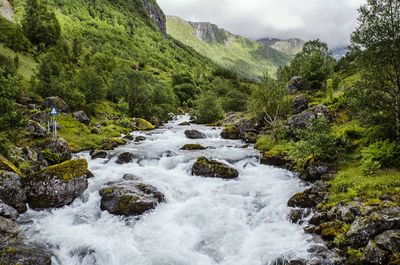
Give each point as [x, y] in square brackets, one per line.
[24, 254]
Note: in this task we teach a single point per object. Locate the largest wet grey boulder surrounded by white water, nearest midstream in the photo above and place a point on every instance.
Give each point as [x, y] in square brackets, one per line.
[130, 197]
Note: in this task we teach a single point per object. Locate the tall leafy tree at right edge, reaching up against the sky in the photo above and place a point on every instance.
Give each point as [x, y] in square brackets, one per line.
[378, 35]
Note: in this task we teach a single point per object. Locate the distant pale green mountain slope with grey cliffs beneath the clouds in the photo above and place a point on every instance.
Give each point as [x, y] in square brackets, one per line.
[247, 57]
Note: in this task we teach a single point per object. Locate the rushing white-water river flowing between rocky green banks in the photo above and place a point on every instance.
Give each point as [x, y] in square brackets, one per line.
[203, 221]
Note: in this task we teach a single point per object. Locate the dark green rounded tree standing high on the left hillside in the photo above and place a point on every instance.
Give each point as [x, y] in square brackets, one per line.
[39, 24]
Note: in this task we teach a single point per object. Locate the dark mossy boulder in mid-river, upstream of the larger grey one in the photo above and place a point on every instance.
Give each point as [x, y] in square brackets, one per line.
[213, 169]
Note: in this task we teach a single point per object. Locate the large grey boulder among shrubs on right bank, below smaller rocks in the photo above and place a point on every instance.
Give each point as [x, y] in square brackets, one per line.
[303, 120]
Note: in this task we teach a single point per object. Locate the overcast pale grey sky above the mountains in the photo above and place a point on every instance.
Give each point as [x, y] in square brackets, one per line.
[330, 20]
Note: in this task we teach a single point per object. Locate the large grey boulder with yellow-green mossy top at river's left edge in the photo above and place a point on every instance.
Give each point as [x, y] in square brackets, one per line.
[57, 185]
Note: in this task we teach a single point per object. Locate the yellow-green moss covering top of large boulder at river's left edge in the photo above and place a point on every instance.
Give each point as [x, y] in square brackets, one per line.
[72, 169]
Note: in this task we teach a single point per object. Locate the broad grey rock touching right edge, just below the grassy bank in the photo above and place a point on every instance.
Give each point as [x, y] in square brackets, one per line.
[364, 228]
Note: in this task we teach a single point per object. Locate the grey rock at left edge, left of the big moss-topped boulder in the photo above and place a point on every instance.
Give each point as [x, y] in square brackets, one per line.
[11, 191]
